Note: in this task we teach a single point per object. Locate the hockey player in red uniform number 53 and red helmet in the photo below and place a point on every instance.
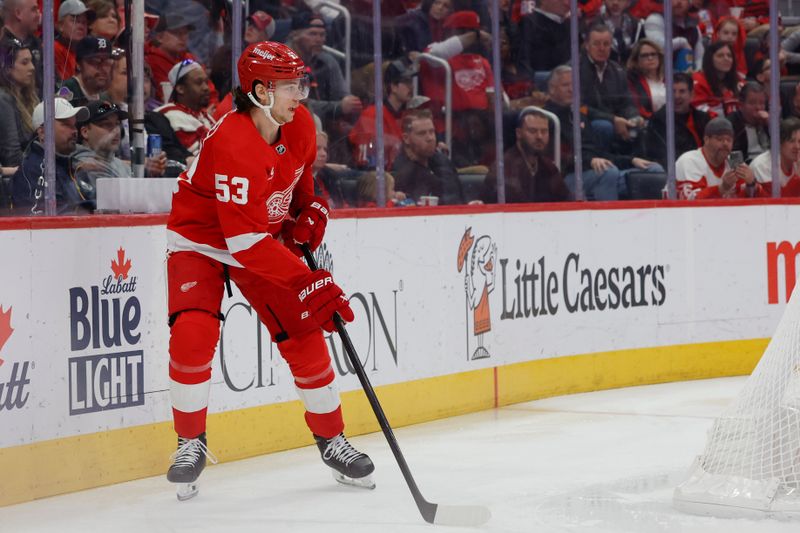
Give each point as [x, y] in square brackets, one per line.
[249, 187]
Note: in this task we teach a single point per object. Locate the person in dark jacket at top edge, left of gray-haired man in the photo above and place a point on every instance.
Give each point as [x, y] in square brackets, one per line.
[544, 37]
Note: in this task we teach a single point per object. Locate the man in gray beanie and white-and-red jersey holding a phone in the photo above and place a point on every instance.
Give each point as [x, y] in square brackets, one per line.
[707, 171]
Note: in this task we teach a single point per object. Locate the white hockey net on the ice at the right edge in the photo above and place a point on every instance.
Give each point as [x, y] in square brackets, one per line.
[751, 463]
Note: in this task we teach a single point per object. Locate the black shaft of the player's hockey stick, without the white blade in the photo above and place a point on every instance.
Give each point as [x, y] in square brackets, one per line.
[427, 509]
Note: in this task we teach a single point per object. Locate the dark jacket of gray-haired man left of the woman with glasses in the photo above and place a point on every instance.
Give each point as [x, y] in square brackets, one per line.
[609, 97]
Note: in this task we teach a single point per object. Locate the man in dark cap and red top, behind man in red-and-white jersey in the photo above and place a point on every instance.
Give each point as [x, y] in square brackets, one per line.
[169, 46]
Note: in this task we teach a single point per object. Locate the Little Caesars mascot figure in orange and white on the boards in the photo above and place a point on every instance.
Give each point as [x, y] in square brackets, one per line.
[477, 258]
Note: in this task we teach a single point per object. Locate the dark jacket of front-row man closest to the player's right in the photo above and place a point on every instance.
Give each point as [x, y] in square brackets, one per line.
[439, 178]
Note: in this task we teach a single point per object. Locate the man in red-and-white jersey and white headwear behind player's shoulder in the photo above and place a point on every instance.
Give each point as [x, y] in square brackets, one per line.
[187, 113]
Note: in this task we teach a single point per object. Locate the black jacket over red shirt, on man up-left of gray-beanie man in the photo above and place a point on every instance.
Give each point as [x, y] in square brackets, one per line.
[688, 134]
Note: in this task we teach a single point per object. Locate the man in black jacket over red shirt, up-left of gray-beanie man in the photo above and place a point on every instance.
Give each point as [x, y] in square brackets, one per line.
[690, 123]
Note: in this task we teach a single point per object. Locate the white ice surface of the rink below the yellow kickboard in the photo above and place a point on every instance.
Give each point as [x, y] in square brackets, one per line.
[599, 462]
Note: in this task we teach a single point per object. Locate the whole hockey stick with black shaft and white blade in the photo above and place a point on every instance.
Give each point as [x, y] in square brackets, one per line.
[448, 515]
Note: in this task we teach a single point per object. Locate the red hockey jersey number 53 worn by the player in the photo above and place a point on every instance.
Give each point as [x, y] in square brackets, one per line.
[232, 201]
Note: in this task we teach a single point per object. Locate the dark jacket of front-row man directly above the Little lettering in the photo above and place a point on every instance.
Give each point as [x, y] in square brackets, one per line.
[547, 185]
